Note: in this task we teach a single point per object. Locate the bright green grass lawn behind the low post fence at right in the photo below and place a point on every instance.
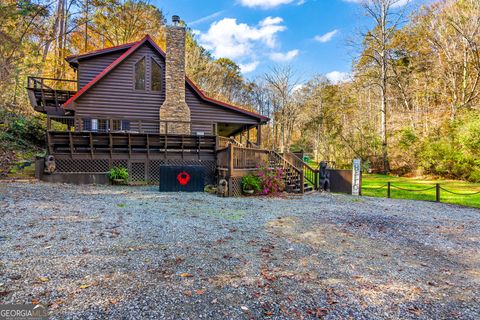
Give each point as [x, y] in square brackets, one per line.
[372, 181]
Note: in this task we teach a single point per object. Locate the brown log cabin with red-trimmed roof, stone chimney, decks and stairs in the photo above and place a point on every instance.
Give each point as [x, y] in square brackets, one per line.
[133, 106]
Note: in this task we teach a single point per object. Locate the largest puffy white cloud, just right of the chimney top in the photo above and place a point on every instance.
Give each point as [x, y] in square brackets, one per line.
[227, 38]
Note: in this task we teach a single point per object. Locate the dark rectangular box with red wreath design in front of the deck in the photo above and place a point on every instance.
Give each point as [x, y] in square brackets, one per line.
[181, 178]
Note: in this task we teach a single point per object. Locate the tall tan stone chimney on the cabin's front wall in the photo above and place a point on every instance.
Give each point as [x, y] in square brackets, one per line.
[175, 107]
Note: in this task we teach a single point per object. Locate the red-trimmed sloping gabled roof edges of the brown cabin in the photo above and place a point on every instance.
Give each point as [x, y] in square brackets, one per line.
[131, 48]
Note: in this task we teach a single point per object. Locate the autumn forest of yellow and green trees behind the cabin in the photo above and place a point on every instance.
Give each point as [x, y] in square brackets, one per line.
[412, 104]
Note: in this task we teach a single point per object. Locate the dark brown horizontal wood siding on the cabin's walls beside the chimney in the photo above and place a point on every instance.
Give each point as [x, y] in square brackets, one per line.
[114, 95]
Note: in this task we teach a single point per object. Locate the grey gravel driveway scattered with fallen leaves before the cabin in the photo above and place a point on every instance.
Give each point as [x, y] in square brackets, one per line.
[94, 252]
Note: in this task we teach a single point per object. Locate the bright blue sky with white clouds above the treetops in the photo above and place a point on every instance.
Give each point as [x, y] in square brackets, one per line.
[311, 35]
